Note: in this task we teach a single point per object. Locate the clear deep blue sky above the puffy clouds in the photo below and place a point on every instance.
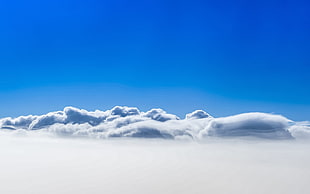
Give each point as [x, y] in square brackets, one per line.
[223, 56]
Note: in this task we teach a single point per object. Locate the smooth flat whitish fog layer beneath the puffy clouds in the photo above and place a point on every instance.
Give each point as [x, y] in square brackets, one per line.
[33, 165]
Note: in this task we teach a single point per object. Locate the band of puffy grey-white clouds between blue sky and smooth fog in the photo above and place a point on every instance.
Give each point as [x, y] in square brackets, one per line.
[123, 121]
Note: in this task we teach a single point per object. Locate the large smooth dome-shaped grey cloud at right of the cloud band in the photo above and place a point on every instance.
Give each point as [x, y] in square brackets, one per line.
[249, 124]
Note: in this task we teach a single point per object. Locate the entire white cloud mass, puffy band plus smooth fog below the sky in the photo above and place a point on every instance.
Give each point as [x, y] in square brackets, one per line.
[220, 155]
